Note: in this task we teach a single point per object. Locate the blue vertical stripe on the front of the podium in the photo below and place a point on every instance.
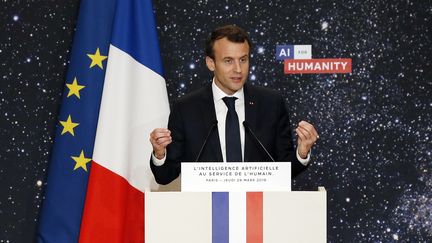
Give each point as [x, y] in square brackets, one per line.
[220, 217]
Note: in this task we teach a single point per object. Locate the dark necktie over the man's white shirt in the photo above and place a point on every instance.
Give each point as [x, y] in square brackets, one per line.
[232, 132]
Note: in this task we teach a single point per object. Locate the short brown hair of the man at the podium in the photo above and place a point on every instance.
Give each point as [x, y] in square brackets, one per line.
[231, 32]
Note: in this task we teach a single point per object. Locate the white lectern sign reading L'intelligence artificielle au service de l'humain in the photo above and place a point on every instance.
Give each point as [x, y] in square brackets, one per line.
[228, 177]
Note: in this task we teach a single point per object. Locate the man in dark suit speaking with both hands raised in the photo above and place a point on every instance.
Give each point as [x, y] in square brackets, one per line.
[218, 111]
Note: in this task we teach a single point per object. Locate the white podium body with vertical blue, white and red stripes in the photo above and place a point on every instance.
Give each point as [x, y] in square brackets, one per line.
[296, 216]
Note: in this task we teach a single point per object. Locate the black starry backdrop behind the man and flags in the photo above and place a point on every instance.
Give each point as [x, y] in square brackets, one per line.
[374, 153]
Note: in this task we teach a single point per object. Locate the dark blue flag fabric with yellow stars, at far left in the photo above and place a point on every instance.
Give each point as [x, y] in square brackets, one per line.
[61, 212]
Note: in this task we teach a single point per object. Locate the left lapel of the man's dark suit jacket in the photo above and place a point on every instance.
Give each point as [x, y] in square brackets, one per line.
[208, 114]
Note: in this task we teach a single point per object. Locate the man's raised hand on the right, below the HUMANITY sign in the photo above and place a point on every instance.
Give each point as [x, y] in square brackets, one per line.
[306, 138]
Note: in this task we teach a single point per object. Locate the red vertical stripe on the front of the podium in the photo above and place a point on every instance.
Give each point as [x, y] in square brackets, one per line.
[254, 217]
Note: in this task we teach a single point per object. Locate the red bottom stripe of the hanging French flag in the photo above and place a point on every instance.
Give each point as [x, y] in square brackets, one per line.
[114, 210]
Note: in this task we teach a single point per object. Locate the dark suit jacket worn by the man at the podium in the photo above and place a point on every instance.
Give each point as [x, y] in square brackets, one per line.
[193, 116]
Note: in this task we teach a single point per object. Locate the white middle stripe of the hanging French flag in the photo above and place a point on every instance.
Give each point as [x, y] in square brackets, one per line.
[134, 103]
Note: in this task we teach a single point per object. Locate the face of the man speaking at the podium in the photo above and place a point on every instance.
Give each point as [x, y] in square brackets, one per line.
[230, 64]
